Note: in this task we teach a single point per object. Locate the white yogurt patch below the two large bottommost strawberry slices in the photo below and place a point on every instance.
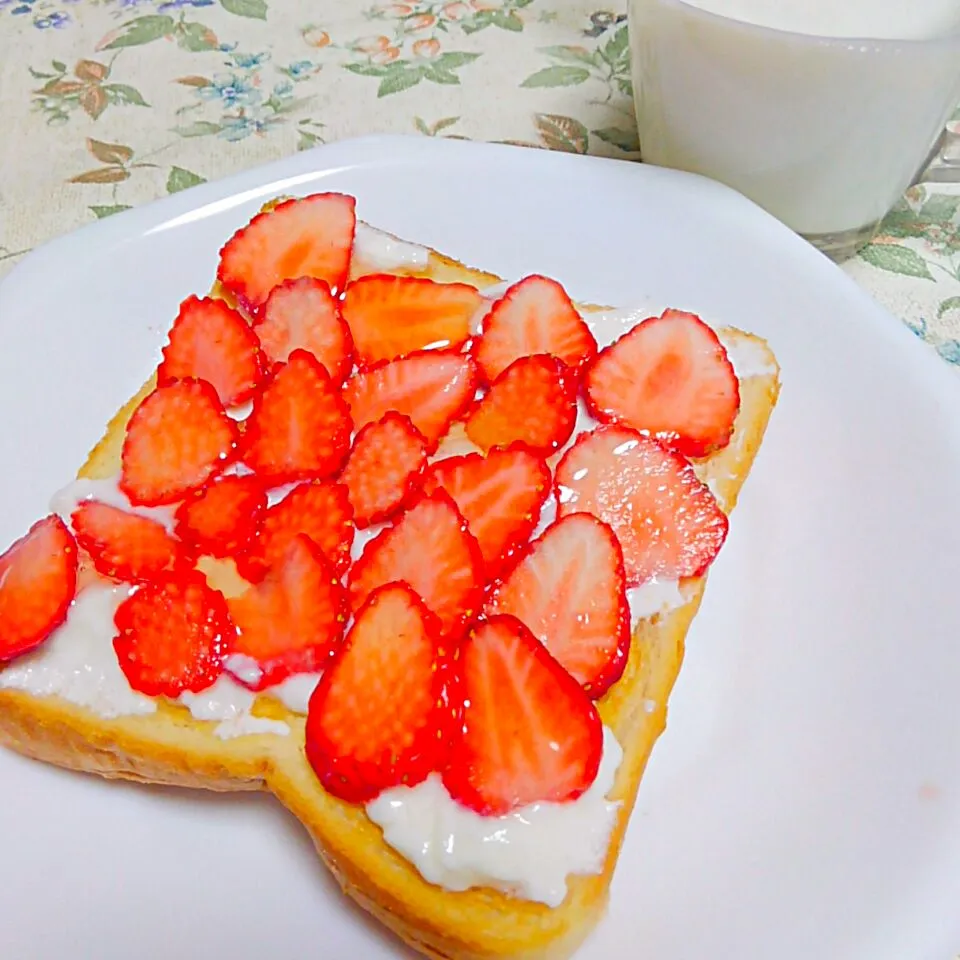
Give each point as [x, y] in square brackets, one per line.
[528, 853]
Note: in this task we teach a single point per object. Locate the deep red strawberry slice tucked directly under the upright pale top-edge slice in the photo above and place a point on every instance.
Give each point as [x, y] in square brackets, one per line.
[534, 402]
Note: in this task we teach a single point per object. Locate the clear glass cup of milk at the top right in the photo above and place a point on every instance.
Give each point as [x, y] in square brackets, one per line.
[821, 111]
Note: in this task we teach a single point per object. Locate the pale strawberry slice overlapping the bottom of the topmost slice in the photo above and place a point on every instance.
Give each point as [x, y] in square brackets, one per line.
[303, 314]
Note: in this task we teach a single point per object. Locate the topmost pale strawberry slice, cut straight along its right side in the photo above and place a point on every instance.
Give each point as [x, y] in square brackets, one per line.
[306, 237]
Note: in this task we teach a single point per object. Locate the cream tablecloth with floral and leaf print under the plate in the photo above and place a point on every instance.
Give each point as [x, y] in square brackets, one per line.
[110, 103]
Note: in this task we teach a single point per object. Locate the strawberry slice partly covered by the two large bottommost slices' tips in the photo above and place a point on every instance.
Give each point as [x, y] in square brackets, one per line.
[429, 548]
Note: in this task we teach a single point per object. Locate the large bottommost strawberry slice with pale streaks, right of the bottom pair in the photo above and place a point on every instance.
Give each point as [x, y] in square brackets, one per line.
[529, 733]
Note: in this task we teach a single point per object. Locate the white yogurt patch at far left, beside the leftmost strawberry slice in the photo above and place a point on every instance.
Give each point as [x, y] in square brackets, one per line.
[77, 661]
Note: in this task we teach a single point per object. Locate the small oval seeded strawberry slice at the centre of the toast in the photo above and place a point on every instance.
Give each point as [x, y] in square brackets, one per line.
[384, 467]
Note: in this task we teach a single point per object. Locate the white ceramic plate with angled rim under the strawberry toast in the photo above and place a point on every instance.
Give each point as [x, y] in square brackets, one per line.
[805, 799]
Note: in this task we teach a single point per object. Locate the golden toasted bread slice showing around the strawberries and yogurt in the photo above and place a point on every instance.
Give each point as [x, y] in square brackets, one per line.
[171, 747]
